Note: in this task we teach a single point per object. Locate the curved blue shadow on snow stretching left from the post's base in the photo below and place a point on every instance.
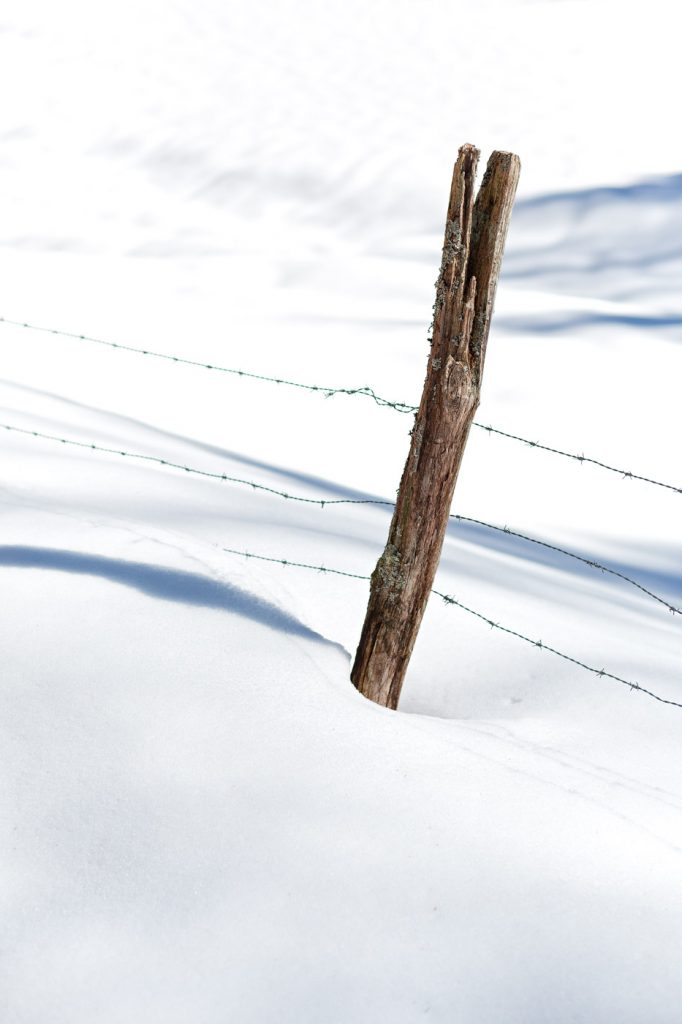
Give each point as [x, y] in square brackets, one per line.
[166, 584]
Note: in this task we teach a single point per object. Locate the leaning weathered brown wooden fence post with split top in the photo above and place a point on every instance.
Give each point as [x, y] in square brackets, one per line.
[476, 234]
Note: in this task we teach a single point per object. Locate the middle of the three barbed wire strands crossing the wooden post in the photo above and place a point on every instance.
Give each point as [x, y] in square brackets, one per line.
[323, 502]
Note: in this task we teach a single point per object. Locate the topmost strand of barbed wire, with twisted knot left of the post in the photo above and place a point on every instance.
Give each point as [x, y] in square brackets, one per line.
[329, 393]
